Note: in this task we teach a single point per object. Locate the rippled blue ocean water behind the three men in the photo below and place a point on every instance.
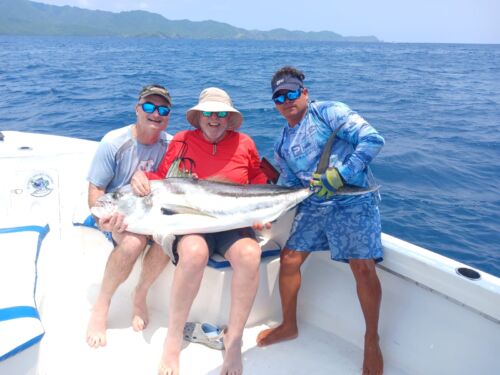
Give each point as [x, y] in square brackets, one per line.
[437, 105]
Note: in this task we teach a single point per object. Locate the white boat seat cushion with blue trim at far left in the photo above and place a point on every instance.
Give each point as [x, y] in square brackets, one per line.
[20, 325]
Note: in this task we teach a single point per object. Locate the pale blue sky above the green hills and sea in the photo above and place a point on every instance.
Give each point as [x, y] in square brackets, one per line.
[434, 21]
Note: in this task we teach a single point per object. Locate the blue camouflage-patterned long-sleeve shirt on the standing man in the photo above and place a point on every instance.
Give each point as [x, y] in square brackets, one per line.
[298, 151]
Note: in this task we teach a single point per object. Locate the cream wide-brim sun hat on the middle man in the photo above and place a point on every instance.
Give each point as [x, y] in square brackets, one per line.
[213, 99]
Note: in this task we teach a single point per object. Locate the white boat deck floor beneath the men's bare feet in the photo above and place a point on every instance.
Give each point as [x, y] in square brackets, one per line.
[64, 351]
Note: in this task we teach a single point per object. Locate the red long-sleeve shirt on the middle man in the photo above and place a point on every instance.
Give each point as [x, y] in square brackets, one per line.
[234, 159]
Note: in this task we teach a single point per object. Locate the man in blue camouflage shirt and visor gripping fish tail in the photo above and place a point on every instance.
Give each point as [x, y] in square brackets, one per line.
[349, 226]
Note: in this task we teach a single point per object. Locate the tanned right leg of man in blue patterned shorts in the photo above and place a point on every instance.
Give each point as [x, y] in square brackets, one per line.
[369, 294]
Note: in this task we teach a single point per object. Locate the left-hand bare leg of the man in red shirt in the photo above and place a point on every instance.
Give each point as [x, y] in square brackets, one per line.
[193, 257]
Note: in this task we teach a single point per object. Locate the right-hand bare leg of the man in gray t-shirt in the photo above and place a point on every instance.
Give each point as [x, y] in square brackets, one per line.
[153, 264]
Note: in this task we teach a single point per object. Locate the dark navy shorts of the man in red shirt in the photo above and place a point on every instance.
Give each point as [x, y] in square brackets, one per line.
[220, 242]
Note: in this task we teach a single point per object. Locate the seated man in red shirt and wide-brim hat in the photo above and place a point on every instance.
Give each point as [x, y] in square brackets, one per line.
[213, 150]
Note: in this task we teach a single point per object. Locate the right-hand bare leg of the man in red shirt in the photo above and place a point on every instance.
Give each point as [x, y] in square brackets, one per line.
[244, 256]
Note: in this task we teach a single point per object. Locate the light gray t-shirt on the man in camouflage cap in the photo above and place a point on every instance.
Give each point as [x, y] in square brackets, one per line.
[119, 156]
